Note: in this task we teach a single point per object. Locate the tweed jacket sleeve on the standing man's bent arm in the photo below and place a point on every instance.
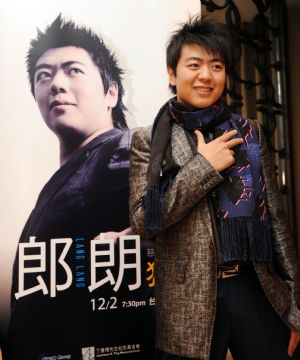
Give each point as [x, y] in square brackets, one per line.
[193, 181]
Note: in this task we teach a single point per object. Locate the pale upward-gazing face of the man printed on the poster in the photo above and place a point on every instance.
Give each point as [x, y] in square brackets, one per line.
[69, 91]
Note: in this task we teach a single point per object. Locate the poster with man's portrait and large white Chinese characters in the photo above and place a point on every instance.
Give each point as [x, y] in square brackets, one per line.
[78, 293]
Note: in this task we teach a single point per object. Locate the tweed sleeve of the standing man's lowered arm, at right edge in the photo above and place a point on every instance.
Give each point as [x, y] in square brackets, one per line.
[284, 248]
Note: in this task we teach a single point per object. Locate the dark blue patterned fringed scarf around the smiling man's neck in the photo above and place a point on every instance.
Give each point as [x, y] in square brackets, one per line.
[239, 201]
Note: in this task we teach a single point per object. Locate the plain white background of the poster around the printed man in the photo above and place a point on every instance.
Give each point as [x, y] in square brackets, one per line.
[137, 30]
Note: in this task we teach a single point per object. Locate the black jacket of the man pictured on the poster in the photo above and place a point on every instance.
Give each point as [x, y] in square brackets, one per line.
[87, 196]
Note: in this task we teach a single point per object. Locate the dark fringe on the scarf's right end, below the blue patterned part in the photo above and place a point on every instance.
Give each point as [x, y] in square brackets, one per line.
[246, 239]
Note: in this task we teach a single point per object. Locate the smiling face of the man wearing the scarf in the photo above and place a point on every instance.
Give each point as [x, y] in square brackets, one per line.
[200, 77]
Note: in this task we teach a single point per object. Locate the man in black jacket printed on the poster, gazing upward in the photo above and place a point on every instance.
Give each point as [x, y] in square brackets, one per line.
[64, 304]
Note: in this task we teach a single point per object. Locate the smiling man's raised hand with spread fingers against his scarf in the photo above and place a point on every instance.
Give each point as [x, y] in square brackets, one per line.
[218, 152]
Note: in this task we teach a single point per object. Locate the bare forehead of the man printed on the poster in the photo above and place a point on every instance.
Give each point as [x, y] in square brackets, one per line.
[63, 54]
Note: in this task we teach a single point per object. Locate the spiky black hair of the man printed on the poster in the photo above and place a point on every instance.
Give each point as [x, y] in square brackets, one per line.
[65, 33]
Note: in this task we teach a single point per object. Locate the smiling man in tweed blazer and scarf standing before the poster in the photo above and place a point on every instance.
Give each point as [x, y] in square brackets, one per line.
[202, 183]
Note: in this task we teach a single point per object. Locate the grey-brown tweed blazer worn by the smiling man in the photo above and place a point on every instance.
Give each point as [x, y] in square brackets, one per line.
[186, 266]
